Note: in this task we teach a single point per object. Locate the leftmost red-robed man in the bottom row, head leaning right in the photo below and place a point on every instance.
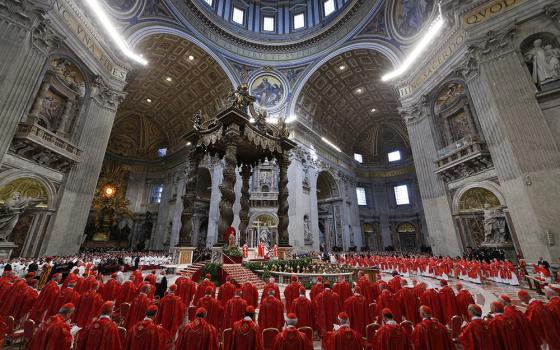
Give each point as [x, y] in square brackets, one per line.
[54, 333]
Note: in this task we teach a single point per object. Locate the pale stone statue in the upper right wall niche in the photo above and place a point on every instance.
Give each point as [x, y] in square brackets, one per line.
[545, 62]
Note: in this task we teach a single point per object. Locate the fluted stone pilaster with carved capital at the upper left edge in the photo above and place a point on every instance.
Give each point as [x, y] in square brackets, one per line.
[25, 43]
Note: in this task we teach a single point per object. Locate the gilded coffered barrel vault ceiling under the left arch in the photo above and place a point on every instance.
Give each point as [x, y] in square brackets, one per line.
[161, 99]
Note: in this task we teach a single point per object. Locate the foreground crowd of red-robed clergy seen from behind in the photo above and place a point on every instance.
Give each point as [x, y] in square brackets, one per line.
[85, 312]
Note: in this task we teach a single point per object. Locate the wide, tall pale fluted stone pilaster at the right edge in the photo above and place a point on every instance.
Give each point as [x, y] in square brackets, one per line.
[524, 153]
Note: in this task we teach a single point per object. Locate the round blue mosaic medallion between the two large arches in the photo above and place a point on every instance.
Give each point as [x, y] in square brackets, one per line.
[269, 91]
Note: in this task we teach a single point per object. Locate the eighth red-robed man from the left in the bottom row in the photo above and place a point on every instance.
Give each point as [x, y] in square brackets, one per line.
[391, 335]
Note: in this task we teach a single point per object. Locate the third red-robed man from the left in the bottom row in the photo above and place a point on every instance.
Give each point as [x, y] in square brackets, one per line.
[148, 335]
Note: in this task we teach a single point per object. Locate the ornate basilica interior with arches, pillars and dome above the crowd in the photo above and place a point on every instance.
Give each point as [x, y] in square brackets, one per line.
[342, 125]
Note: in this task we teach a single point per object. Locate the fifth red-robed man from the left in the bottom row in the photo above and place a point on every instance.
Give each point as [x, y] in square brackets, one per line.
[246, 334]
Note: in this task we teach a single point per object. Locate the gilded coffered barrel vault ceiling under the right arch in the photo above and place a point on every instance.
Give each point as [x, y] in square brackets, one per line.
[337, 101]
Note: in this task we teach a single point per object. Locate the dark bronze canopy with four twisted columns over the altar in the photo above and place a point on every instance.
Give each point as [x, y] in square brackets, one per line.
[243, 137]
